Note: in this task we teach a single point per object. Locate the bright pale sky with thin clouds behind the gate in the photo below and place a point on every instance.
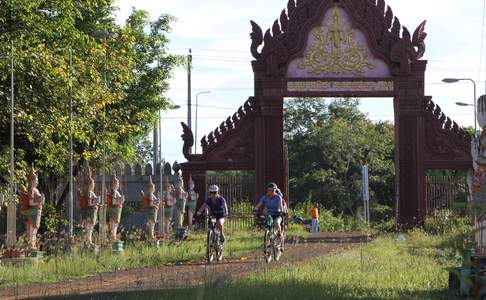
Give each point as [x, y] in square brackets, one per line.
[218, 31]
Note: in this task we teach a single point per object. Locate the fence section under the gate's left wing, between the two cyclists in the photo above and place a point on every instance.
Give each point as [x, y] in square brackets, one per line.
[238, 190]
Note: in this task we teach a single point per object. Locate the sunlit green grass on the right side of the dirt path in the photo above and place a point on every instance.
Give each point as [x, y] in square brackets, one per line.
[388, 268]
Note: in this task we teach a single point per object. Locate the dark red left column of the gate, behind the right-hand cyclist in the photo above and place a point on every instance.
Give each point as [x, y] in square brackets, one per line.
[269, 163]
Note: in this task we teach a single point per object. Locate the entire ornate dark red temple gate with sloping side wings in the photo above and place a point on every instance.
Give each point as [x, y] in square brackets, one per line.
[336, 48]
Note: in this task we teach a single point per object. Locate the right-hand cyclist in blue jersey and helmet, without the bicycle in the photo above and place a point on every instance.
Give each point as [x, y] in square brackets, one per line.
[274, 205]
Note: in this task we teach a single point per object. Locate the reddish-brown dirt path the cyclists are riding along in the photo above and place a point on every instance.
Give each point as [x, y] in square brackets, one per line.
[187, 275]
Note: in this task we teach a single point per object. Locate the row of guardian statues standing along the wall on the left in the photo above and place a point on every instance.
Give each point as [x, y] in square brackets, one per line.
[175, 202]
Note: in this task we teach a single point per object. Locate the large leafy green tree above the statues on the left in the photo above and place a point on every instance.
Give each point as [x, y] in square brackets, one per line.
[117, 81]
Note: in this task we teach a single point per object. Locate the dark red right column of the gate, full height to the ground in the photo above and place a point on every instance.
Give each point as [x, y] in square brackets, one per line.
[409, 147]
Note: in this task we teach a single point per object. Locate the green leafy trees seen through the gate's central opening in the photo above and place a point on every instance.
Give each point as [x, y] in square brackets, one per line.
[328, 144]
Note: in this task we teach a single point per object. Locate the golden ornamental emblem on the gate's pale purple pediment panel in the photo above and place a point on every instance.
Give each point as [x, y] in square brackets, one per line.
[335, 51]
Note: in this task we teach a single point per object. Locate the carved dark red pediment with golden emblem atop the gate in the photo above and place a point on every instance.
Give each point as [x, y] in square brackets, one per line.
[308, 31]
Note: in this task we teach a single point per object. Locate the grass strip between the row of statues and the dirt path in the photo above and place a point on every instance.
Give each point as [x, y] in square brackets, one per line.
[78, 265]
